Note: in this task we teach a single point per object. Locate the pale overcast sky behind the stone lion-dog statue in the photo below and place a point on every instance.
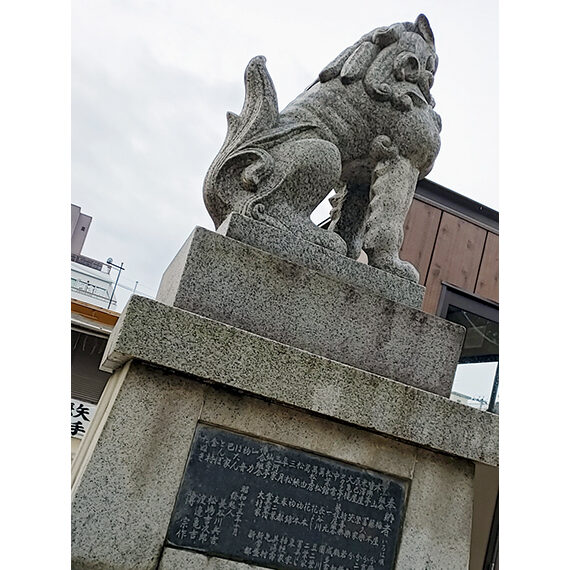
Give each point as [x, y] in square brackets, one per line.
[152, 81]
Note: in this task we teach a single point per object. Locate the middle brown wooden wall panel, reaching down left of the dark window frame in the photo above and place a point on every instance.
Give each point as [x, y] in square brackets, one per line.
[456, 258]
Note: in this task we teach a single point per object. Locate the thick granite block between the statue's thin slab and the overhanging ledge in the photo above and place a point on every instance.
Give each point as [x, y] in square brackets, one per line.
[229, 281]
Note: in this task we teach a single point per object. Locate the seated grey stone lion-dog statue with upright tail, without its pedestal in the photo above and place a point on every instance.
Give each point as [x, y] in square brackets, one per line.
[365, 129]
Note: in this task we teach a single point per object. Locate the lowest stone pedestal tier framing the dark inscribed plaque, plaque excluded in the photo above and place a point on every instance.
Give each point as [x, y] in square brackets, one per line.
[124, 500]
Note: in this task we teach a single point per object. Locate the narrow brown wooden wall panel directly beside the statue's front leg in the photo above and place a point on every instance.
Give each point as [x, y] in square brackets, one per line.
[420, 230]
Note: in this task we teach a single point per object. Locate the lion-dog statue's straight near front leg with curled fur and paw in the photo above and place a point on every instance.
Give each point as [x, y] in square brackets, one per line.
[391, 192]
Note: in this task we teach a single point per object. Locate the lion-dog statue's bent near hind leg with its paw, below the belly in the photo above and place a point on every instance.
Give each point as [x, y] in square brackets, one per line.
[305, 172]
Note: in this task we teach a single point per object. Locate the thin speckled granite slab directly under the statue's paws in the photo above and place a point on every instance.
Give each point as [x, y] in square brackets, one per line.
[290, 247]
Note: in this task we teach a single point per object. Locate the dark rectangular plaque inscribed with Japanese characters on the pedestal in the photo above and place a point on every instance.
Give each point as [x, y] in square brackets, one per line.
[262, 503]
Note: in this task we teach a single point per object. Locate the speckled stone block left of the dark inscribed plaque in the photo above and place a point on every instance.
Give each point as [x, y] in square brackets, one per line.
[124, 500]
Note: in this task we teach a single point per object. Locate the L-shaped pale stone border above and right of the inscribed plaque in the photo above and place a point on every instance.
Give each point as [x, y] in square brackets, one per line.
[430, 503]
